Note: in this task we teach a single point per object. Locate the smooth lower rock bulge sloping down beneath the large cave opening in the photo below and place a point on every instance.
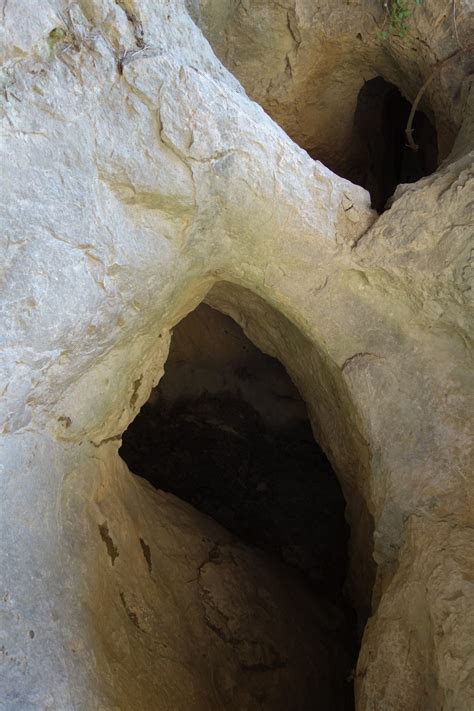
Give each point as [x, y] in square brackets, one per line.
[126, 597]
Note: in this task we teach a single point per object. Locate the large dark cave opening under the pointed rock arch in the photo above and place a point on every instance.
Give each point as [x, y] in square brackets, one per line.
[227, 431]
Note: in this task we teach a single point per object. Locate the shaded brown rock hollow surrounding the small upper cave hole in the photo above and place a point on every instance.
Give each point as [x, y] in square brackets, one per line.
[305, 63]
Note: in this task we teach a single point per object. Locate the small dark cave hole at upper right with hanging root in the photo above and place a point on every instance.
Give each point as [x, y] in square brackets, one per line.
[385, 159]
